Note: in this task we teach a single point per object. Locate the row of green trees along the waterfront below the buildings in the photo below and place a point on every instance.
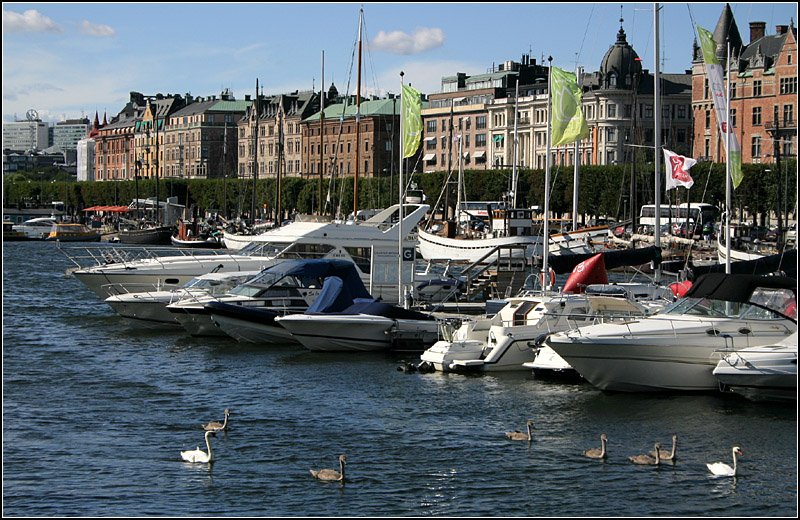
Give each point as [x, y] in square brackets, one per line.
[604, 191]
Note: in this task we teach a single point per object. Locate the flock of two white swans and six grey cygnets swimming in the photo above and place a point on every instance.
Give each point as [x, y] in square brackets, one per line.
[654, 458]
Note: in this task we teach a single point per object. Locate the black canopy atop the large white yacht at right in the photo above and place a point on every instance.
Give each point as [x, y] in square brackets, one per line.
[737, 287]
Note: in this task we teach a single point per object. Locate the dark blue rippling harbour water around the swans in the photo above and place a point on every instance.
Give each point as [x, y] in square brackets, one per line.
[95, 414]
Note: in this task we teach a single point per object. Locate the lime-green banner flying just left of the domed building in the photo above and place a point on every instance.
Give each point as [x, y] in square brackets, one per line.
[568, 123]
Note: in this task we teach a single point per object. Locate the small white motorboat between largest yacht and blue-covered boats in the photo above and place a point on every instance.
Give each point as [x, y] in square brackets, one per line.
[150, 307]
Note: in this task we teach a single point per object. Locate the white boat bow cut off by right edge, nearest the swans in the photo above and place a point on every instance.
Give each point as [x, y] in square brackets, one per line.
[761, 373]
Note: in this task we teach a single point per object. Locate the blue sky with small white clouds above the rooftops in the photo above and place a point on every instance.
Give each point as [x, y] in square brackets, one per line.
[70, 59]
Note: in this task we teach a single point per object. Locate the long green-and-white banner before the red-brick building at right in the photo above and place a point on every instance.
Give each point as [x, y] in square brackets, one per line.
[718, 93]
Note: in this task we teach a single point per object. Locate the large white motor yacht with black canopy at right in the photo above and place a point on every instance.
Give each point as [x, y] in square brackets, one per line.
[678, 348]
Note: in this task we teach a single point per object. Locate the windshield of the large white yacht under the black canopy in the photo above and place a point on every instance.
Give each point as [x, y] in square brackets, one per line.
[764, 304]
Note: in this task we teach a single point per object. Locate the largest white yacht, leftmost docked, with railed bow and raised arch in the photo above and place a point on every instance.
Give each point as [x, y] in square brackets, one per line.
[372, 245]
